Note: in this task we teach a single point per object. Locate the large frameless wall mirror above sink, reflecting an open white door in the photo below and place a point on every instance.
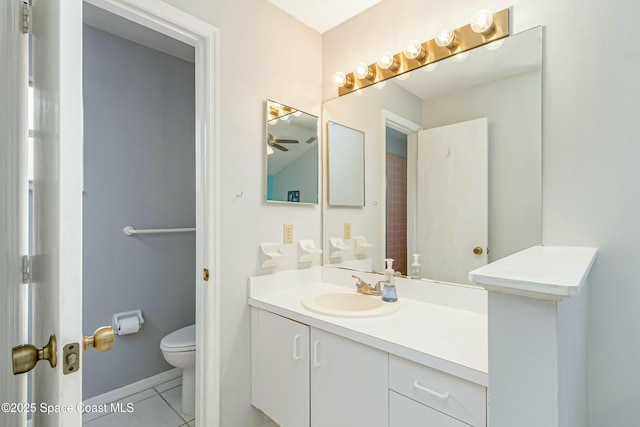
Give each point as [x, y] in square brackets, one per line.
[452, 163]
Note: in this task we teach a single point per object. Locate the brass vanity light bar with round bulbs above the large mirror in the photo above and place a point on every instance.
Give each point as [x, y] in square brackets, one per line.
[485, 28]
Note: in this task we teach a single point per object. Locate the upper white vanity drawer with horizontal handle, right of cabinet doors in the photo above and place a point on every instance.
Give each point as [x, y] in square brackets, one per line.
[456, 397]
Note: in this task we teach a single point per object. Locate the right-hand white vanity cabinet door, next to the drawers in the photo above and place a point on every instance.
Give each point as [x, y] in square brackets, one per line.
[349, 383]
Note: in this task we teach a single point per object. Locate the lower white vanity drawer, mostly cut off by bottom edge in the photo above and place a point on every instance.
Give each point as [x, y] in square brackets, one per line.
[404, 412]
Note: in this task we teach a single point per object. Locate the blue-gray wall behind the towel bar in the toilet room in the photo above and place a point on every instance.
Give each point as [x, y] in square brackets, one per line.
[139, 159]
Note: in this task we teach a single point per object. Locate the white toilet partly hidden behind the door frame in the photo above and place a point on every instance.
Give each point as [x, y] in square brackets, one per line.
[179, 349]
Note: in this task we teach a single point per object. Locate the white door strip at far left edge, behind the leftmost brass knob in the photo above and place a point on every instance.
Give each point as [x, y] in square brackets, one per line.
[13, 197]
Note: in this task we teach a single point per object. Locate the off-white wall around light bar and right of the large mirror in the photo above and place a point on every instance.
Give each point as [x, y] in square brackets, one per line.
[590, 153]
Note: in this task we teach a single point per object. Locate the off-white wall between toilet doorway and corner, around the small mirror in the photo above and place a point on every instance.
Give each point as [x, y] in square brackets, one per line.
[264, 54]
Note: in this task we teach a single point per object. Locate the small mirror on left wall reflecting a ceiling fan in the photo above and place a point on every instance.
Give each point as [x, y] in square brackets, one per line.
[291, 155]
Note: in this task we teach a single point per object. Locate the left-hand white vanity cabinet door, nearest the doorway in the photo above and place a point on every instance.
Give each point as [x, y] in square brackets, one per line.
[280, 362]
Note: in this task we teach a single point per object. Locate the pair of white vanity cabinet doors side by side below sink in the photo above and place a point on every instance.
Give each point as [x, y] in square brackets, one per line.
[303, 376]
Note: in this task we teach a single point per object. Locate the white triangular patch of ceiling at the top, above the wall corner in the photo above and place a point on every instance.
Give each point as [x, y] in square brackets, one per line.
[323, 15]
